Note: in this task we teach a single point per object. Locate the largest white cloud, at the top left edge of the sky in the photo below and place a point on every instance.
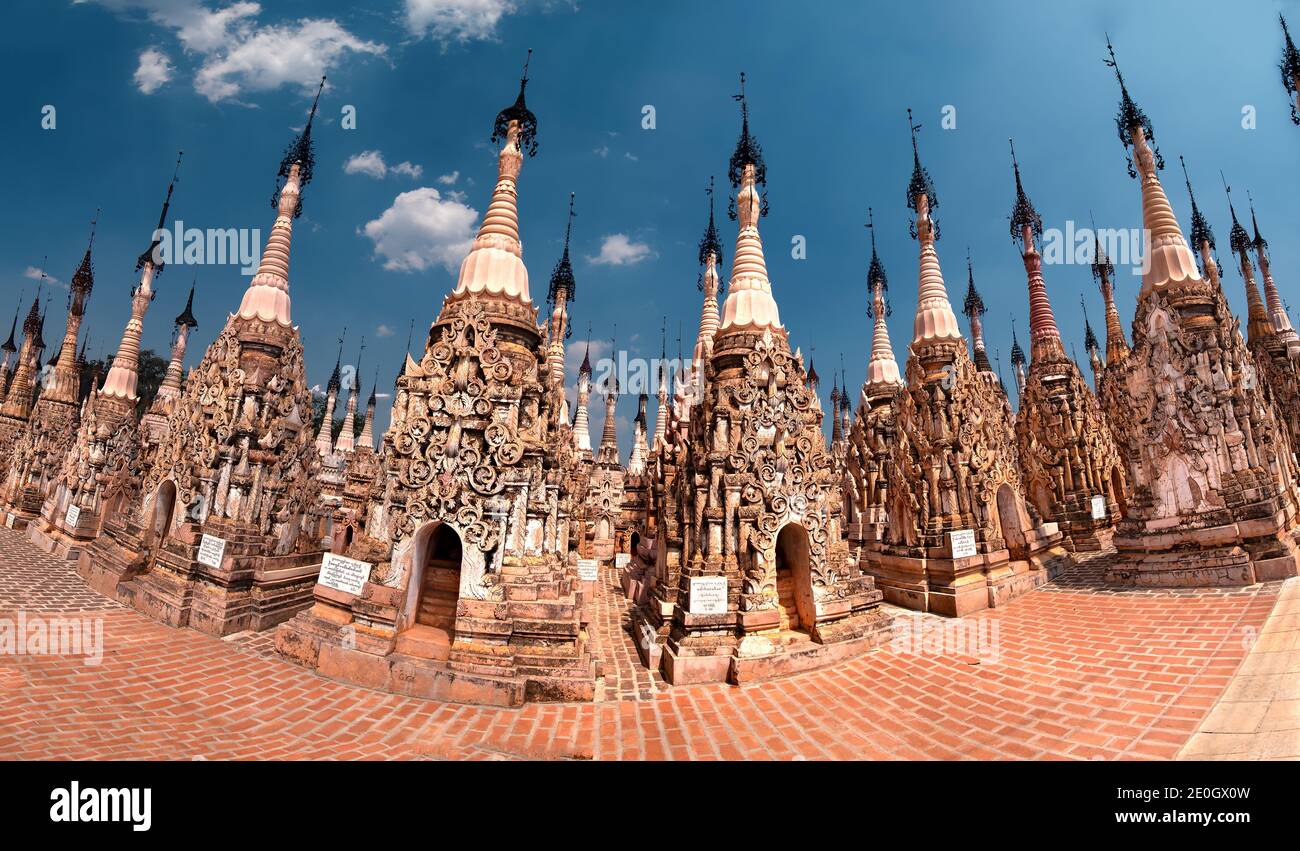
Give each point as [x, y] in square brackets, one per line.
[237, 55]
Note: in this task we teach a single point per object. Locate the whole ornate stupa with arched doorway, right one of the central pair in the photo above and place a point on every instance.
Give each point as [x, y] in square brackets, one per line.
[765, 585]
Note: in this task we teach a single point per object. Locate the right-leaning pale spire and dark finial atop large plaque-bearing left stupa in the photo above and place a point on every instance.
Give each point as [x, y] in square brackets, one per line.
[267, 297]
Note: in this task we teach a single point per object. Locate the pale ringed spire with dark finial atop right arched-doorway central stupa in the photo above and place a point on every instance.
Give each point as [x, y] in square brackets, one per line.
[749, 306]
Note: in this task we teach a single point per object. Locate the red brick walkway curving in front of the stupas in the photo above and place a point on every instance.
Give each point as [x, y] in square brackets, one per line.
[1080, 672]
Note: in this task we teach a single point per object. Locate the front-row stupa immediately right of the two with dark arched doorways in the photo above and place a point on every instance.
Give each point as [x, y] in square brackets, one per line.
[959, 537]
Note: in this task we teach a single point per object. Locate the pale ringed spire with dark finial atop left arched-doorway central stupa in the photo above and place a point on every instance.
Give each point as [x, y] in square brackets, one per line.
[495, 267]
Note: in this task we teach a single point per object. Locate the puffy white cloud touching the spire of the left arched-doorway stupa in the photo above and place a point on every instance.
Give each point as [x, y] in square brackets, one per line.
[422, 229]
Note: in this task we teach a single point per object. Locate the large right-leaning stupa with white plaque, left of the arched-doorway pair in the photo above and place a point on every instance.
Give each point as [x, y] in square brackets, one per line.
[219, 542]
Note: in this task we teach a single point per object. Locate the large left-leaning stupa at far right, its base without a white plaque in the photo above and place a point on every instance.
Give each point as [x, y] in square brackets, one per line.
[1211, 468]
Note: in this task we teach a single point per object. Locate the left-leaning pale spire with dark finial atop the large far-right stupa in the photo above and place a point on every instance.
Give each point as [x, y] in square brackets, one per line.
[1168, 259]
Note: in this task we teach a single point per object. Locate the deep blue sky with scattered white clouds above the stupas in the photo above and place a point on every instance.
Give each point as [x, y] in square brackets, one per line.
[133, 81]
